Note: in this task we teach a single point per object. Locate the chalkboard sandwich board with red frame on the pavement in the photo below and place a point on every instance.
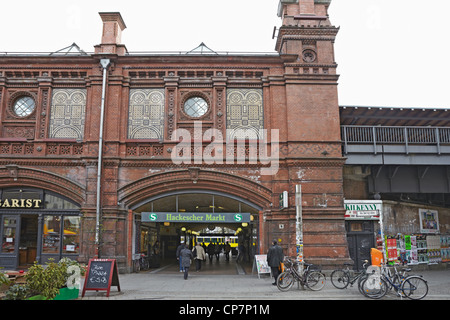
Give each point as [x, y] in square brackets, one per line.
[101, 275]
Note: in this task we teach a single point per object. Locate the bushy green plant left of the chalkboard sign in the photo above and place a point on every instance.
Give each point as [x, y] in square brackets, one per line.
[47, 280]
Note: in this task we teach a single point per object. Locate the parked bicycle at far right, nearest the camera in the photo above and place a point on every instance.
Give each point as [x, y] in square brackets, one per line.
[413, 287]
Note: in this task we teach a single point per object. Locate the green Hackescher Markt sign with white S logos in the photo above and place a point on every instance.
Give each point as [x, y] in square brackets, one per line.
[195, 217]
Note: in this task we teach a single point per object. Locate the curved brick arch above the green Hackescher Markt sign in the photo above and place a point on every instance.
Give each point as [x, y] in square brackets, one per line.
[194, 178]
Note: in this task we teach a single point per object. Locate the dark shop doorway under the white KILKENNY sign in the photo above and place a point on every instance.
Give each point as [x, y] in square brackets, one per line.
[360, 238]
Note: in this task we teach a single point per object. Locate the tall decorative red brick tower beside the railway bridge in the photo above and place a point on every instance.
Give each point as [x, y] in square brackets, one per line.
[314, 159]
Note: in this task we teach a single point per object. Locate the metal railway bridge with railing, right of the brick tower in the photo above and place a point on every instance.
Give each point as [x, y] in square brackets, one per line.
[404, 153]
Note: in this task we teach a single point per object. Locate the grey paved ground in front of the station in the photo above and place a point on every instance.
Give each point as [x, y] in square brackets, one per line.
[233, 282]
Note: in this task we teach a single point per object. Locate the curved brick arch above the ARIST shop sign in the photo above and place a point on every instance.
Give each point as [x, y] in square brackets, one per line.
[16, 176]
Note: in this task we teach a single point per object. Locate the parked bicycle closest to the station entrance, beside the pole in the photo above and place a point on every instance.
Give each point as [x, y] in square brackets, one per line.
[311, 276]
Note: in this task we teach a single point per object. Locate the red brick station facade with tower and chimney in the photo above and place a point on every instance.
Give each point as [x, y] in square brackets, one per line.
[299, 94]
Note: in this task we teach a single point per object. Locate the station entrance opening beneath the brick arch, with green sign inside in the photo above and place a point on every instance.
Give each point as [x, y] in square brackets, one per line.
[211, 219]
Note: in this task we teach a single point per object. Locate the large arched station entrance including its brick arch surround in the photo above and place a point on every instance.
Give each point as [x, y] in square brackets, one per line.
[196, 206]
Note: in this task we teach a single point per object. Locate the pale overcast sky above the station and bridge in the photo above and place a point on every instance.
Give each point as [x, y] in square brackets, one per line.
[390, 52]
